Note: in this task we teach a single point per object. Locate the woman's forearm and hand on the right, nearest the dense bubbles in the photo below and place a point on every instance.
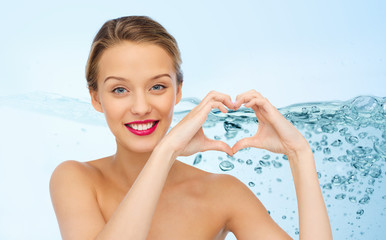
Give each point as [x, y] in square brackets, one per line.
[277, 134]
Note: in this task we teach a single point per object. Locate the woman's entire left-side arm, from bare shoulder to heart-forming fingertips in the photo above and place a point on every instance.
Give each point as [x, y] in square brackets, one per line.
[72, 194]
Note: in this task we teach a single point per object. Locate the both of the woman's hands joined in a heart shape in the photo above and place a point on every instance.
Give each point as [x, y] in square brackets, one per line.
[275, 133]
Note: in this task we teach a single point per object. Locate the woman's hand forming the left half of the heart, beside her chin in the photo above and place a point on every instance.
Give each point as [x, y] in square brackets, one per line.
[187, 137]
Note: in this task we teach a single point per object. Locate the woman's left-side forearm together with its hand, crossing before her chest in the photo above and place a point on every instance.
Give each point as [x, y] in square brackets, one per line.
[133, 217]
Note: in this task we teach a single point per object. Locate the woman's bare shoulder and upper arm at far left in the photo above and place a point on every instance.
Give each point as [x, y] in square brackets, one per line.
[74, 200]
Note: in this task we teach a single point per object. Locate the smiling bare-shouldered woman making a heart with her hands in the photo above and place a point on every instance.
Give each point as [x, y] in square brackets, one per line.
[143, 192]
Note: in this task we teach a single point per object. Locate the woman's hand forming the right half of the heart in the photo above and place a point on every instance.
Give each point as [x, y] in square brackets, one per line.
[274, 133]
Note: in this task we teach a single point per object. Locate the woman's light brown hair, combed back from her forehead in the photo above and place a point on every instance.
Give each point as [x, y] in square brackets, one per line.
[137, 29]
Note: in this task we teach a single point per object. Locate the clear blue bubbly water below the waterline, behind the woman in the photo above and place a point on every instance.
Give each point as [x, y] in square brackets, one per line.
[348, 139]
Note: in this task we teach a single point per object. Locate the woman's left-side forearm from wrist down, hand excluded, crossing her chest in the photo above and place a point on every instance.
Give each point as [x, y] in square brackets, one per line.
[132, 218]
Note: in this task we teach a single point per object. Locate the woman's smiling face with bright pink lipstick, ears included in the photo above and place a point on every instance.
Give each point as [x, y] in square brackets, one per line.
[136, 82]
